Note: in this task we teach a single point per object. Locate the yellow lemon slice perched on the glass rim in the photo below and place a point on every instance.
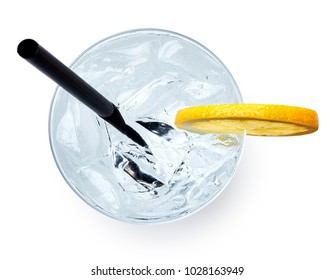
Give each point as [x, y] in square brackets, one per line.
[255, 119]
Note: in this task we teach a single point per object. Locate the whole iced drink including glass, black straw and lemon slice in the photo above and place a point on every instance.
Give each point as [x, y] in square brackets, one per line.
[173, 140]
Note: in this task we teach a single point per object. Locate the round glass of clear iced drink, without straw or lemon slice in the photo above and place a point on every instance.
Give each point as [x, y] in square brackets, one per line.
[149, 75]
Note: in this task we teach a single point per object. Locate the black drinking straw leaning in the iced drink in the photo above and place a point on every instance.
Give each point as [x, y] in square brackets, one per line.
[35, 54]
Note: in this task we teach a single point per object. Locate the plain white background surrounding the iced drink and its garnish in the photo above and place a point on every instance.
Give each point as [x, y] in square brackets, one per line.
[276, 218]
